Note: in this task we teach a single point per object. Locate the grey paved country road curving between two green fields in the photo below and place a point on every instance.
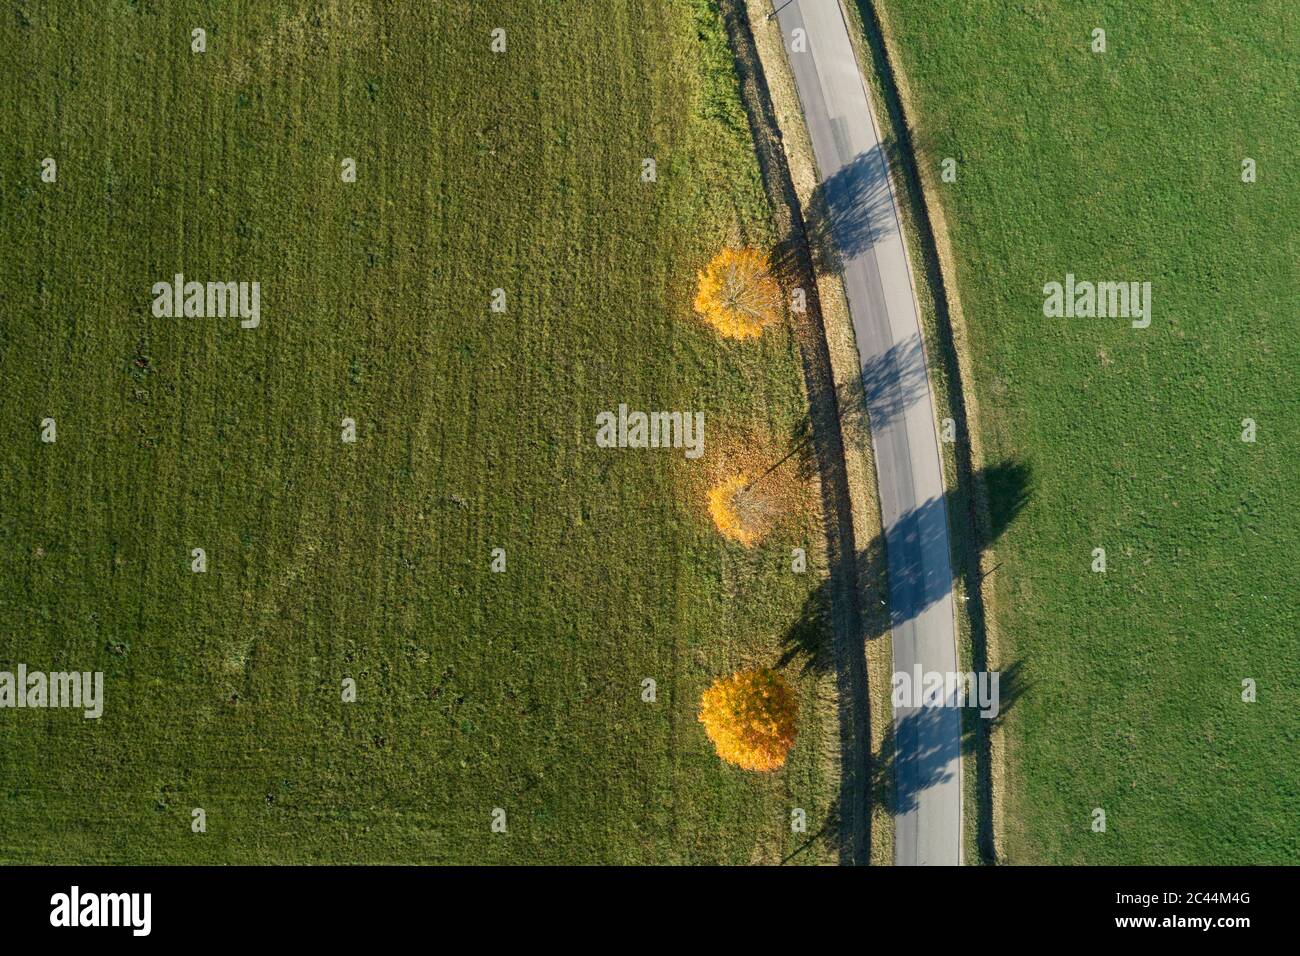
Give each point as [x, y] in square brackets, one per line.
[864, 224]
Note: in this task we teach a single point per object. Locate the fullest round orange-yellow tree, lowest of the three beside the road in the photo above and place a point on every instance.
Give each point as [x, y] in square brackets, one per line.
[751, 719]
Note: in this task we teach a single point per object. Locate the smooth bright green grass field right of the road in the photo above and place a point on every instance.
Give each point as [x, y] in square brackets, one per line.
[1126, 166]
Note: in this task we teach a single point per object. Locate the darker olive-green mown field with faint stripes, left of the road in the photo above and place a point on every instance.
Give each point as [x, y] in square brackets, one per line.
[476, 171]
